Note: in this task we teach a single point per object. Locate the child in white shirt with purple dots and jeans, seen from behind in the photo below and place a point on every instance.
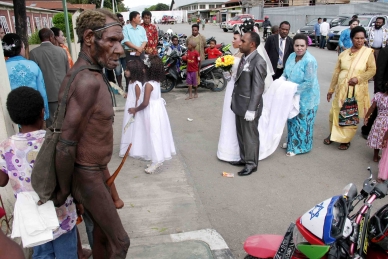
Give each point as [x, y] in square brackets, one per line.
[17, 155]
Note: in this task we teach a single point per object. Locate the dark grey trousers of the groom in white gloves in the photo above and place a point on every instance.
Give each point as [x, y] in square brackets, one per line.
[248, 140]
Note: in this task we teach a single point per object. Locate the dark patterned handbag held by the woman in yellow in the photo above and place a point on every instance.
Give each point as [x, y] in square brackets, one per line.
[348, 115]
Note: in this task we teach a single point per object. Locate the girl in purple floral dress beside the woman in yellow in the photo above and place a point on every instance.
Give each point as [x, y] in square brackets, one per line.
[375, 138]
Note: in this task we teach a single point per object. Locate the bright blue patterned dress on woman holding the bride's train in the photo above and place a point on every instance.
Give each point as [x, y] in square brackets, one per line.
[301, 127]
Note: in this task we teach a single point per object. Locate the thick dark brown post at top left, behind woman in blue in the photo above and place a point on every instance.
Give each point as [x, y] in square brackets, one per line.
[21, 22]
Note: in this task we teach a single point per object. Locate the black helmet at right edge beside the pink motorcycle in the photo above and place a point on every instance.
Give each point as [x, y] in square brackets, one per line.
[378, 228]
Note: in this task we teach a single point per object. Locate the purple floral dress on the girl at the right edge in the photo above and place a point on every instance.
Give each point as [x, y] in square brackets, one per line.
[375, 138]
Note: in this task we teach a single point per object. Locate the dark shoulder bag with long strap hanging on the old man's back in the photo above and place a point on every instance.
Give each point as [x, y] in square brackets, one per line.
[43, 177]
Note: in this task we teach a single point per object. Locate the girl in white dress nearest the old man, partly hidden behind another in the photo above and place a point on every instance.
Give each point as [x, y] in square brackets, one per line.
[135, 72]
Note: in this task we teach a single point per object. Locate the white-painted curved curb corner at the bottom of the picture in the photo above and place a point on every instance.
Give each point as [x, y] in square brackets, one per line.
[215, 241]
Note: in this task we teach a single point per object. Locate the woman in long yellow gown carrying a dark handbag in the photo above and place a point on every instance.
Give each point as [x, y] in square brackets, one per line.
[355, 66]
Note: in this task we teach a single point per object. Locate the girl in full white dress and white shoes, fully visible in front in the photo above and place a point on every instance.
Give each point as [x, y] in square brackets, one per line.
[155, 142]
